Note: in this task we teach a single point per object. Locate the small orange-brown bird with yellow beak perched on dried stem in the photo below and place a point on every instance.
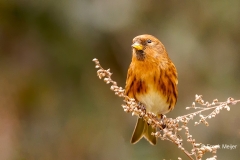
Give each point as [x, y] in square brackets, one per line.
[151, 80]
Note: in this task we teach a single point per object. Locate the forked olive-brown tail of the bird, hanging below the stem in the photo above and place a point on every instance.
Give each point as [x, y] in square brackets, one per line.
[142, 129]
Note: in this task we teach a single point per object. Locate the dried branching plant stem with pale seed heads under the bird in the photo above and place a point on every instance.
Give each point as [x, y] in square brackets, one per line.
[171, 127]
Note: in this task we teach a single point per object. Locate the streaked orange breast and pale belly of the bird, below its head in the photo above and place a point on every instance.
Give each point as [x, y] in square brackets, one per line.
[153, 86]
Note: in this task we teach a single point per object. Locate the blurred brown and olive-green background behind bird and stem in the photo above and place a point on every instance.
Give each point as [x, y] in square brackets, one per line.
[52, 104]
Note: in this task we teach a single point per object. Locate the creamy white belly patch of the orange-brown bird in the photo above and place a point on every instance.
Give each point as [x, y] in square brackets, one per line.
[154, 102]
